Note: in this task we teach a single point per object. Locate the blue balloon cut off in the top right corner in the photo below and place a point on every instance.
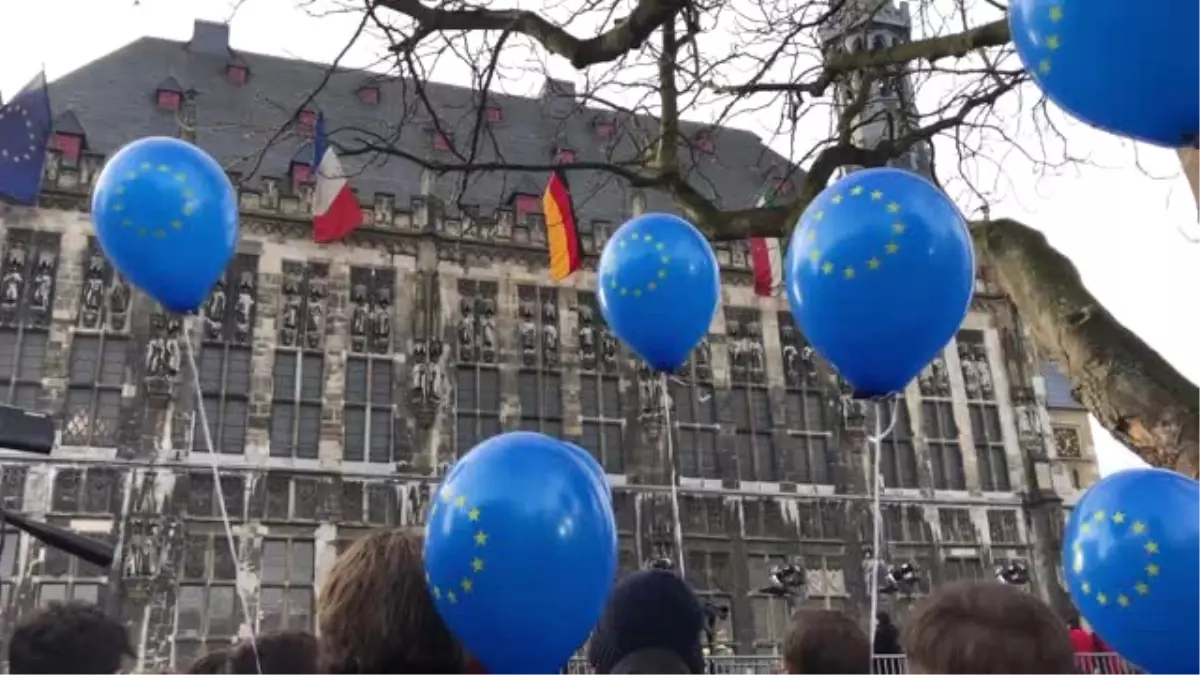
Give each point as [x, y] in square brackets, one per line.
[1115, 64]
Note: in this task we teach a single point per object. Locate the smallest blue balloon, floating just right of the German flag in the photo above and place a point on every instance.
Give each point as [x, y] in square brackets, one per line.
[658, 288]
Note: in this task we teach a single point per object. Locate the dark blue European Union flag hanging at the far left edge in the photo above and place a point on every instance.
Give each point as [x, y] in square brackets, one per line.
[25, 133]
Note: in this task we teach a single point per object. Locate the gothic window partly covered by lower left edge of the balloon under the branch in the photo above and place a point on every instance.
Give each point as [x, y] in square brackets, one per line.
[808, 416]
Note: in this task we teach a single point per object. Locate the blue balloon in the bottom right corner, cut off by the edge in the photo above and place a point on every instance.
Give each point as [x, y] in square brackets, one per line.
[1130, 558]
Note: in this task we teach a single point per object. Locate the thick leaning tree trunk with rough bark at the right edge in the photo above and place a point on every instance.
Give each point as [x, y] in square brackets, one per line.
[1124, 383]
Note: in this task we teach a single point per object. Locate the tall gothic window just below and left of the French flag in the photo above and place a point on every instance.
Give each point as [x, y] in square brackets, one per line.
[299, 372]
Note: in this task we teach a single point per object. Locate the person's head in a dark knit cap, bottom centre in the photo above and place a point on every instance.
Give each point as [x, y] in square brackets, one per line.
[651, 626]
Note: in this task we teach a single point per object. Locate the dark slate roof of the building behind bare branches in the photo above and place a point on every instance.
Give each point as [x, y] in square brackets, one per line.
[115, 100]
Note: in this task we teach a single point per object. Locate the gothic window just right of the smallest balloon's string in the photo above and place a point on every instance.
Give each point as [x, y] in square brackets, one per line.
[695, 414]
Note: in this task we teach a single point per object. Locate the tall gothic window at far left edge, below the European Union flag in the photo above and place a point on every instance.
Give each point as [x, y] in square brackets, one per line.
[27, 296]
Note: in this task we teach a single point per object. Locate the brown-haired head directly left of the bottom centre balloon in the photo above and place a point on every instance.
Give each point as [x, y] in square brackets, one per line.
[376, 613]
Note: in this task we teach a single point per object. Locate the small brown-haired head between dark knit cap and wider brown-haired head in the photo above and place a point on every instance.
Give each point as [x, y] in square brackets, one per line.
[826, 643]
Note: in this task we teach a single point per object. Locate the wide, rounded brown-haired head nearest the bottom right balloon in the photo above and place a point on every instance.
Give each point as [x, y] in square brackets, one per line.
[986, 629]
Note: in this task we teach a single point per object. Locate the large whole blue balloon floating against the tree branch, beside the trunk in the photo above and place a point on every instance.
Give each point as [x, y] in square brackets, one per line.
[880, 274]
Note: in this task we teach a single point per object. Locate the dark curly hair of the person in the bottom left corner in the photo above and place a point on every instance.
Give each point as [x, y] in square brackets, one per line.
[76, 638]
